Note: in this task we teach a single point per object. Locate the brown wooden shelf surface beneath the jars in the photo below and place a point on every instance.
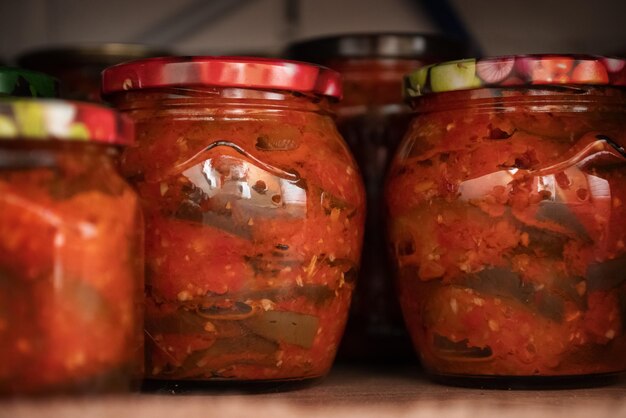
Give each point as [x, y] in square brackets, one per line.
[349, 391]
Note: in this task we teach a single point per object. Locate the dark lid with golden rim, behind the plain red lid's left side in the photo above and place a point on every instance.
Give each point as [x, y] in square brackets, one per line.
[98, 54]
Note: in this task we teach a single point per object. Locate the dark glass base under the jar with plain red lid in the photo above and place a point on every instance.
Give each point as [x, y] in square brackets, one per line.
[179, 387]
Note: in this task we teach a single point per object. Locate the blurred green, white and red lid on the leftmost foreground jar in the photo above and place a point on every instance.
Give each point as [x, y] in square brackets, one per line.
[33, 119]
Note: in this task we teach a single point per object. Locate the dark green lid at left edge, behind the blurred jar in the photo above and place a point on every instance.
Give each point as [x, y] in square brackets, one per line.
[18, 82]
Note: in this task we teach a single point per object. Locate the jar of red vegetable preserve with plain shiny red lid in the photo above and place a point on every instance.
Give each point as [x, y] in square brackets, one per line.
[254, 210]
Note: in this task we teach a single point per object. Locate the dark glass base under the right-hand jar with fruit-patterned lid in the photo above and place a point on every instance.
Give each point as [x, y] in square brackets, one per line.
[528, 382]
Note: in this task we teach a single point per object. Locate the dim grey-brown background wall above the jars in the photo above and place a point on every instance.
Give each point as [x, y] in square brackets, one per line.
[264, 26]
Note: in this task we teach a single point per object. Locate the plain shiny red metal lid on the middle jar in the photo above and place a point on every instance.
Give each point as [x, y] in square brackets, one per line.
[243, 72]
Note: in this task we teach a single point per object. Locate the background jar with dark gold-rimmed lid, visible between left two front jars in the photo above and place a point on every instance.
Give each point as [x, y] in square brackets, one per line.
[78, 67]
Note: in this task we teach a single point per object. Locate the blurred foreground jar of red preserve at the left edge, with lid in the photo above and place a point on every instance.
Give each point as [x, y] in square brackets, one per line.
[71, 266]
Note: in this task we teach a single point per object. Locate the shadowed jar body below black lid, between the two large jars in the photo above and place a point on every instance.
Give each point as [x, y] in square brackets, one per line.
[372, 117]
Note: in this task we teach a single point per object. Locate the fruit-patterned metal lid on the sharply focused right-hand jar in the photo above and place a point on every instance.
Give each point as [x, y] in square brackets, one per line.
[518, 70]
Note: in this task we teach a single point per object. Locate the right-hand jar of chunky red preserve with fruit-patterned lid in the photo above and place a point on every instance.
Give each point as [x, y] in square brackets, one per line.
[506, 204]
